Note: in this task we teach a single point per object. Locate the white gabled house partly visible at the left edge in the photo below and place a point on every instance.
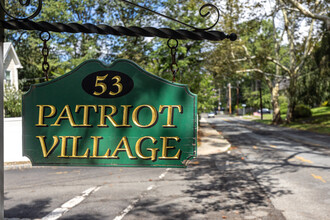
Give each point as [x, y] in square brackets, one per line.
[11, 65]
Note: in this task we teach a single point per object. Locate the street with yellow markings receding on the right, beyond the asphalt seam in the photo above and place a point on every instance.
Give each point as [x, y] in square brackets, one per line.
[292, 167]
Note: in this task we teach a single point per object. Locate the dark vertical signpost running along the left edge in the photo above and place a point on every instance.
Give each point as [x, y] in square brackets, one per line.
[2, 38]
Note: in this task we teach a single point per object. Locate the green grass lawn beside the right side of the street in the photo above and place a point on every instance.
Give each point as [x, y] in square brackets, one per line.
[319, 122]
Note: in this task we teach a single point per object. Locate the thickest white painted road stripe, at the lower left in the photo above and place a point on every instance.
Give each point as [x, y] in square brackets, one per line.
[59, 212]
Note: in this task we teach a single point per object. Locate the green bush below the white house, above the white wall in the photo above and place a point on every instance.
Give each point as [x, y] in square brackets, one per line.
[12, 102]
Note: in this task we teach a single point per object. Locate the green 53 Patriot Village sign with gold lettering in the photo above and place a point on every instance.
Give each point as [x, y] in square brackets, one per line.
[117, 115]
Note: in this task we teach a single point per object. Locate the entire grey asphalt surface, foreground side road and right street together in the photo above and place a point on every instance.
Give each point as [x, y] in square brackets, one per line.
[270, 173]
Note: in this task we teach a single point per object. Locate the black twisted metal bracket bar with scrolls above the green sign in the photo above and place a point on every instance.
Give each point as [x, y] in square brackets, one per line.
[195, 34]
